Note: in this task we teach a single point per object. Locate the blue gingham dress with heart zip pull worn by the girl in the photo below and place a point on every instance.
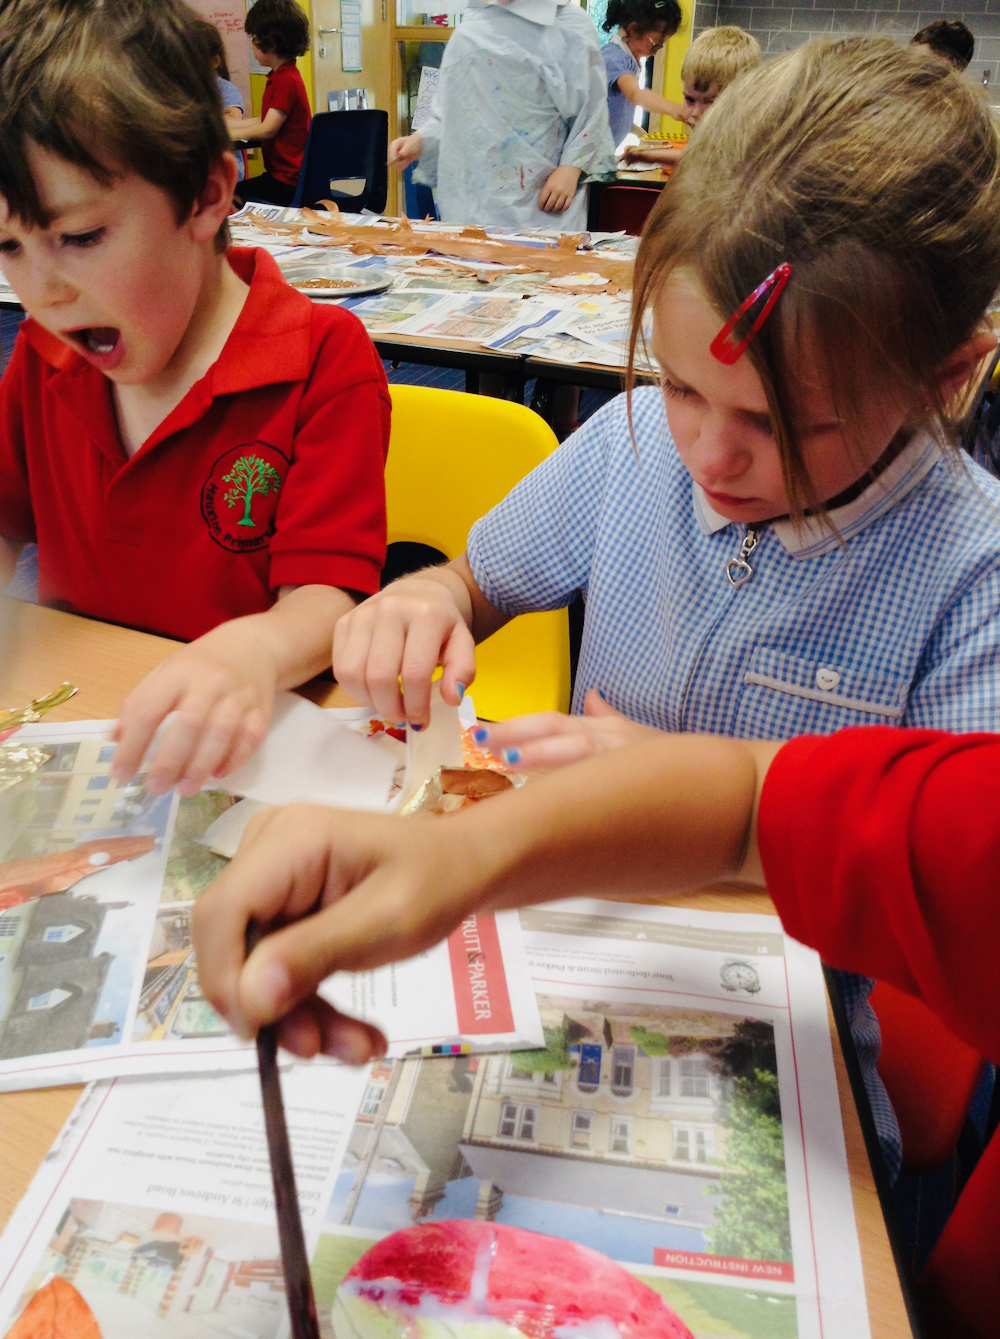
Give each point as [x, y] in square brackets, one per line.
[895, 623]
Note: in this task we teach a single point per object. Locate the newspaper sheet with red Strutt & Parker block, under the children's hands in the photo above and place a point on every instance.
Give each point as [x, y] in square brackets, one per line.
[97, 969]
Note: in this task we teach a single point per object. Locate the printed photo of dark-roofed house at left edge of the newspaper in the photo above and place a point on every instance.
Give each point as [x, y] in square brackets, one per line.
[81, 855]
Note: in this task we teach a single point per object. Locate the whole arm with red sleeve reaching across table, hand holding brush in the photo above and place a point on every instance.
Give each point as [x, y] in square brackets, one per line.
[880, 850]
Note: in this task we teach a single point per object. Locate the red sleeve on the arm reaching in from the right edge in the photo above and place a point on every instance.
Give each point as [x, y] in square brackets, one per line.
[882, 851]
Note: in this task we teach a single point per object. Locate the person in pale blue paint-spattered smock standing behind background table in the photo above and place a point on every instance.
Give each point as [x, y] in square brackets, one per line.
[520, 116]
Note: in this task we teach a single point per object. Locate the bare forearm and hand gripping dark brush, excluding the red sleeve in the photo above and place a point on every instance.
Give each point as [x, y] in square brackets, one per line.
[355, 891]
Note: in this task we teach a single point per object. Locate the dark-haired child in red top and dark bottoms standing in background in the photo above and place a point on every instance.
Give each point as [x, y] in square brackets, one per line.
[280, 33]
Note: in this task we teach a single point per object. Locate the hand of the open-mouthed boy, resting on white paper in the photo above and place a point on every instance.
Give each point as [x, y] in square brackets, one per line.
[223, 697]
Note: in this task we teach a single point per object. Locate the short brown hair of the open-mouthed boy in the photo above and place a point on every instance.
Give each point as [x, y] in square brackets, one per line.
[110, 86]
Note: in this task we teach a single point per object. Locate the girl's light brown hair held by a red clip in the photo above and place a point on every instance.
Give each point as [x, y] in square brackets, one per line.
[876, 175]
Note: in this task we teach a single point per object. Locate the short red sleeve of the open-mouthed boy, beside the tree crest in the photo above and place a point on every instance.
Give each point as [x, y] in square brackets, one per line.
[330, 527]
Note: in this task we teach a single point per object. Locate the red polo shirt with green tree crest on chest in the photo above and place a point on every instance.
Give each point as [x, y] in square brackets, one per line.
[268, 473]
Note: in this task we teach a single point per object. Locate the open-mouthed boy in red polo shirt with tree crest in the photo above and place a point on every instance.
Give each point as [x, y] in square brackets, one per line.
[196, 448]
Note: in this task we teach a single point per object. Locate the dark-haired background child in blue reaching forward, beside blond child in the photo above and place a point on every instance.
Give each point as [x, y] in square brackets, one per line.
[643, 29]
